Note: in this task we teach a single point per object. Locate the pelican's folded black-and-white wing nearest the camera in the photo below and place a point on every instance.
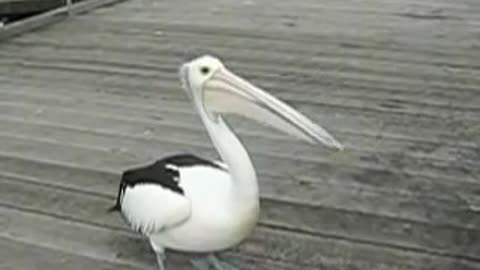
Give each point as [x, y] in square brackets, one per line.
[151, 198]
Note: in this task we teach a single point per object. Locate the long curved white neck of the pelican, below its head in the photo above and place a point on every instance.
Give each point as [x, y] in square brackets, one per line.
[233, 153]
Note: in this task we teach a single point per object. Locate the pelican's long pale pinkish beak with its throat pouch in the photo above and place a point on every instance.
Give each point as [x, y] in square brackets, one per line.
[226, 92]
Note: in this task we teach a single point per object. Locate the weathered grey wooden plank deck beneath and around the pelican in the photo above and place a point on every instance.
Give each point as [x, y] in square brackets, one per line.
[398, 82]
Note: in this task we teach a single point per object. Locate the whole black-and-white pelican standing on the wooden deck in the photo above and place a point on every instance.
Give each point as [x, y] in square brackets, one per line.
[192, 204]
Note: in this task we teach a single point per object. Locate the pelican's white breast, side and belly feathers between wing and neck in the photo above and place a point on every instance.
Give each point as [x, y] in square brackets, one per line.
[215, 223]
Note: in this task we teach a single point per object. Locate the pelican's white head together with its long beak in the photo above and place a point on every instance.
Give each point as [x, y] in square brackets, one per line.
[217, 91]
